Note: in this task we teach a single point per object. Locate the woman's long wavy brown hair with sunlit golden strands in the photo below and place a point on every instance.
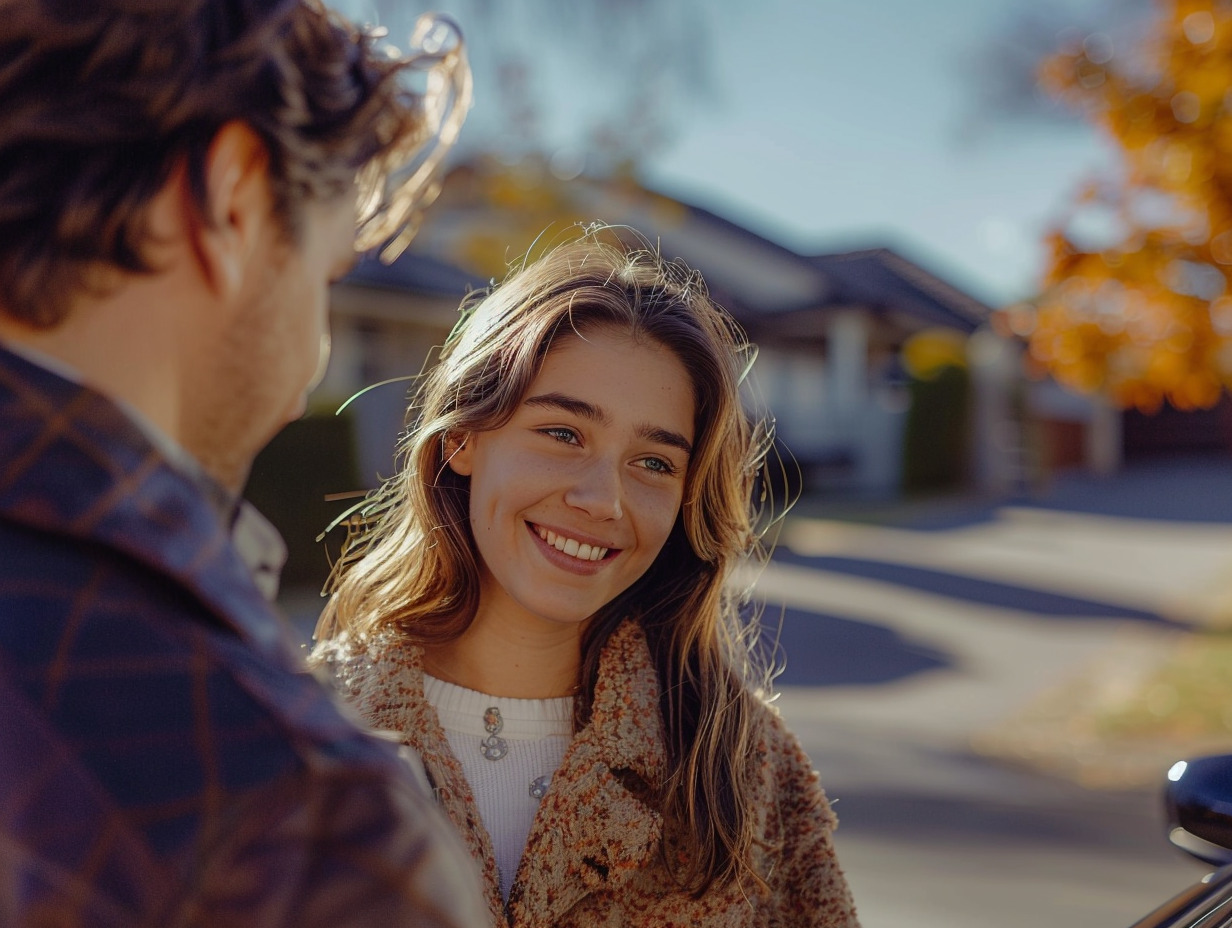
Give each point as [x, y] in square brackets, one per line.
[412, 566]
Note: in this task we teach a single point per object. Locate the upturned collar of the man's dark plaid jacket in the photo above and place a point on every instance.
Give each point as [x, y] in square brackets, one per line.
[76, 465]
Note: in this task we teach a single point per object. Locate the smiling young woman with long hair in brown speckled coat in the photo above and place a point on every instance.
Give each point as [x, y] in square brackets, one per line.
[543, 606]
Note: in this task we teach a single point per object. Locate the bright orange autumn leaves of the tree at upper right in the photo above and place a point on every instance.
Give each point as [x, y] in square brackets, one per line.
[1138, 295]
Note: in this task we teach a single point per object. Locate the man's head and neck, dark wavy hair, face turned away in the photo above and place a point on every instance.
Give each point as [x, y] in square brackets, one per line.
[209, 146]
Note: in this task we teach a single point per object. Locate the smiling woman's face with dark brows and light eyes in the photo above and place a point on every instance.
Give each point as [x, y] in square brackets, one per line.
[575, 497]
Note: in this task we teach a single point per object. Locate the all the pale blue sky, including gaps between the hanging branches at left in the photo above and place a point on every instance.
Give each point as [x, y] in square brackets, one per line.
[831, 125]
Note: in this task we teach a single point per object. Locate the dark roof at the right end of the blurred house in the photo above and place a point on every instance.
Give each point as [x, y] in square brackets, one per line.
[888, 282]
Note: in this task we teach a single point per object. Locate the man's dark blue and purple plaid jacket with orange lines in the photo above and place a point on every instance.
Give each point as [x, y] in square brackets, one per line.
[164, 759]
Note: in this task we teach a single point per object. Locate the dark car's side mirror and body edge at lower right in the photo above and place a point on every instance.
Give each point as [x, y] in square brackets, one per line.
[1199, 799]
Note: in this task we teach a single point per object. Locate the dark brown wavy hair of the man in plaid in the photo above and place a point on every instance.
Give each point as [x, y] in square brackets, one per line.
[102, 100]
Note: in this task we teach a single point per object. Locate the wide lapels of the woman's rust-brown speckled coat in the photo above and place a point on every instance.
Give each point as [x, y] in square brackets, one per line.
[599, 823]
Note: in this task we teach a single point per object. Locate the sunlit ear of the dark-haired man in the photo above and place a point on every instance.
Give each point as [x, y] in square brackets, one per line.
[238, 208]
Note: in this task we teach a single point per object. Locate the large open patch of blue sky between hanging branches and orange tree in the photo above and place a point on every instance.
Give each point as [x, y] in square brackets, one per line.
[868, 146]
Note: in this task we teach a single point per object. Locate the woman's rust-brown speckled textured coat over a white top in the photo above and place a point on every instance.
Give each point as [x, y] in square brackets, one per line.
[594, 855]
